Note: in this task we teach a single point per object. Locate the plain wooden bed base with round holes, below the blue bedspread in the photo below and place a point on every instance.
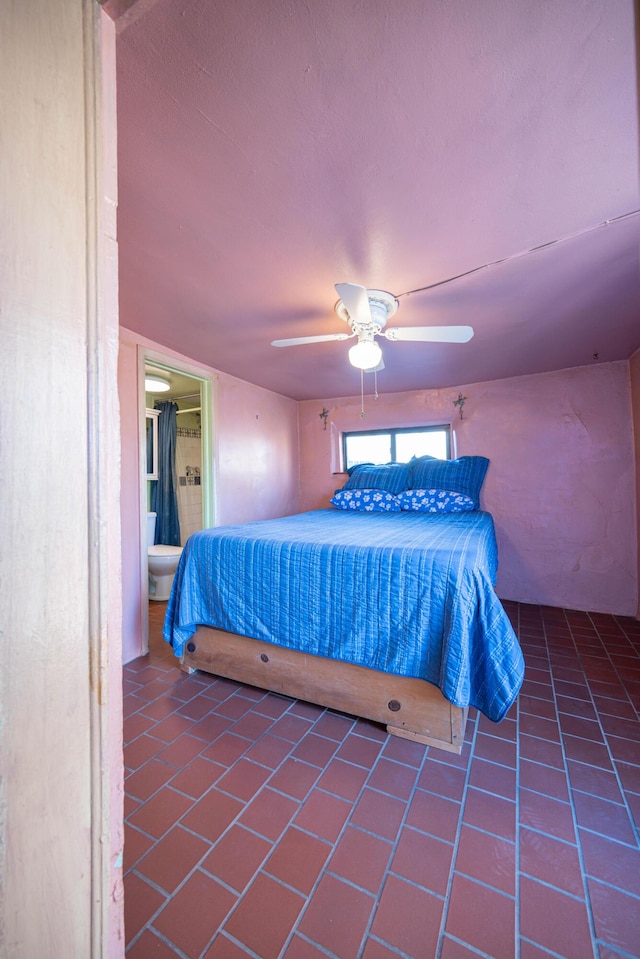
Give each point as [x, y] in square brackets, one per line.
[411, 708]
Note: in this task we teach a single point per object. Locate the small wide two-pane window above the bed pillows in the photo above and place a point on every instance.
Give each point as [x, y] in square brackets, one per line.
[399, 445]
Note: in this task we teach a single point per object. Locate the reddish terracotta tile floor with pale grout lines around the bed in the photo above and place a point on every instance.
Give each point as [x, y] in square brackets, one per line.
[259, 826]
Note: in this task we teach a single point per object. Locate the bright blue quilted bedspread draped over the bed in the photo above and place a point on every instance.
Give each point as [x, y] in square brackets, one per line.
[406, 593]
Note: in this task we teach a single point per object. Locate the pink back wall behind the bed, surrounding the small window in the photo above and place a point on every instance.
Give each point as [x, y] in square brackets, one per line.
[561, 484]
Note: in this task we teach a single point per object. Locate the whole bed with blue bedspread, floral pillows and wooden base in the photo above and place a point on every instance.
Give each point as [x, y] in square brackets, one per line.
[382, 612]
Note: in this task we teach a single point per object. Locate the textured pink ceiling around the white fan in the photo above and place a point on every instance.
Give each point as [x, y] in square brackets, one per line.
[269, 149]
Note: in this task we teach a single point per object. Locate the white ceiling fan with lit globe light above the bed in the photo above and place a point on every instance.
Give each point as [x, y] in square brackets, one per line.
[366, 312]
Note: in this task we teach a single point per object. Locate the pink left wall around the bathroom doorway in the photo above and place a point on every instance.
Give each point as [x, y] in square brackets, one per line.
[256, 444]
